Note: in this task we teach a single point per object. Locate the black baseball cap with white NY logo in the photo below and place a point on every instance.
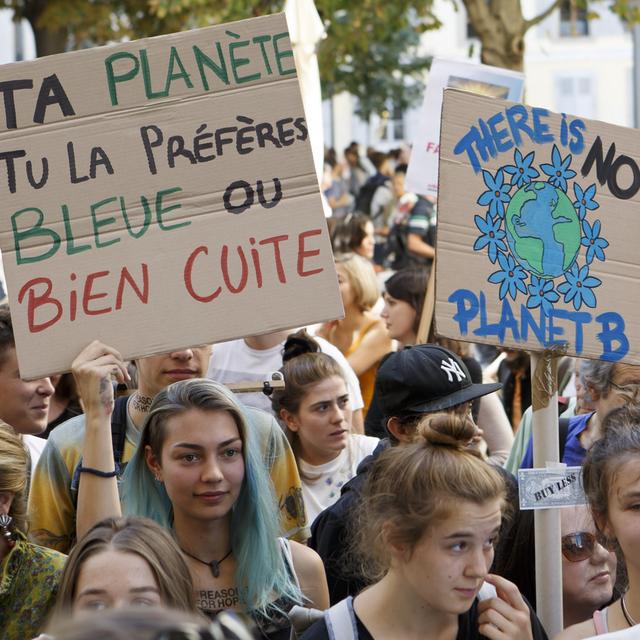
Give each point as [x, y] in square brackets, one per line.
[424, 378]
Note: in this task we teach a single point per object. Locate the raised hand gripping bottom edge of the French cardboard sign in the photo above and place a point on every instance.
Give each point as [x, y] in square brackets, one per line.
[93, 370]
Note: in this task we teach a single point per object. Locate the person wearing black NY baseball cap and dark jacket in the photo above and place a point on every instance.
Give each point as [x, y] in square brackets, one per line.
[410, 383]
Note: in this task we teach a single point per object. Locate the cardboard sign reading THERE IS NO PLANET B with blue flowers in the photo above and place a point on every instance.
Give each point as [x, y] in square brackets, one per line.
[538, 230]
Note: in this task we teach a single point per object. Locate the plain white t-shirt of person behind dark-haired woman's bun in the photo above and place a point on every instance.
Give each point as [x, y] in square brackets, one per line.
[235, 361]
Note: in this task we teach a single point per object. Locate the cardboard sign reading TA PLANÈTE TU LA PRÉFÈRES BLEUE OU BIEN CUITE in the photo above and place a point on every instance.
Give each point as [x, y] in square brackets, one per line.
[159, 194]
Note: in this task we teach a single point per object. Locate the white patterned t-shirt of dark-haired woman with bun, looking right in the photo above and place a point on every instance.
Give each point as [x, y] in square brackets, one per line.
[326, 480]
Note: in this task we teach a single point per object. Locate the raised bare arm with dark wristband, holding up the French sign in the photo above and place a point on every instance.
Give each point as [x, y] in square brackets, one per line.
[93, 371]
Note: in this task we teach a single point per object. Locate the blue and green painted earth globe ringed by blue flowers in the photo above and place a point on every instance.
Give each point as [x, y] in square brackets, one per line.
[562, 241]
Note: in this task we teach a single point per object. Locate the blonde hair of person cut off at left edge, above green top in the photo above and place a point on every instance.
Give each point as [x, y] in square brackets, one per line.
[14, 469]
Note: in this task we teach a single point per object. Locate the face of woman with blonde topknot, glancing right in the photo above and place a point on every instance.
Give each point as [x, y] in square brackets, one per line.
[447, 567]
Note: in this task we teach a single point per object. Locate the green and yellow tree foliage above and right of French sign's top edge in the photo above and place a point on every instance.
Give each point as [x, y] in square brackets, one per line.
[371, 49]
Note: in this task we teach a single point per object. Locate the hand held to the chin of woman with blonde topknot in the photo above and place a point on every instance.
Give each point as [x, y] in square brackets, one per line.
[505, 617]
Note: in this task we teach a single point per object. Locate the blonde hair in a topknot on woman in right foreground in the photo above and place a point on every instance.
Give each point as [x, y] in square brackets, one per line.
[413, 486]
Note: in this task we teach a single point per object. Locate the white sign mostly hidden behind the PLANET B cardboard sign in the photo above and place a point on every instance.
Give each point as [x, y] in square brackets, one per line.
[422, 173]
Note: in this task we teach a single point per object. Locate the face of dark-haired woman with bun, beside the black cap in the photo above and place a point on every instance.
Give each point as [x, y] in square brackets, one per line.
[323, 421]
